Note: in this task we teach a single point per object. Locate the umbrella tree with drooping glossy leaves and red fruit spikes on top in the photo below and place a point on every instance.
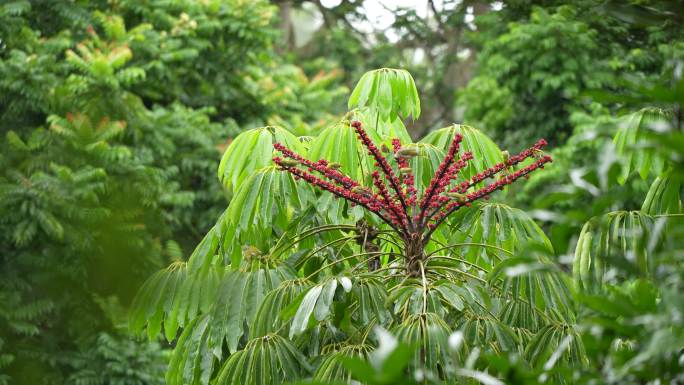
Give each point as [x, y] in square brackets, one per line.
[291, 283]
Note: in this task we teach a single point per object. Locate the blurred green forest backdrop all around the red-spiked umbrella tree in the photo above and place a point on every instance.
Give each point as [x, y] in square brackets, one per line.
[114, 116]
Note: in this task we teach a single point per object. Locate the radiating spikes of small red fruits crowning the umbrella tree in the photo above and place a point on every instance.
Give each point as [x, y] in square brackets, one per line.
[395, 200]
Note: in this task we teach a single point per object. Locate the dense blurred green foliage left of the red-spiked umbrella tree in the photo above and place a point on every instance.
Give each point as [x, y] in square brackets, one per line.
[114, 116]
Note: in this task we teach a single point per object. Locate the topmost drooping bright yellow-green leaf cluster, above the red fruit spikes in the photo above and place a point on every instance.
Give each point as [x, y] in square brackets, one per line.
[389, 92]
